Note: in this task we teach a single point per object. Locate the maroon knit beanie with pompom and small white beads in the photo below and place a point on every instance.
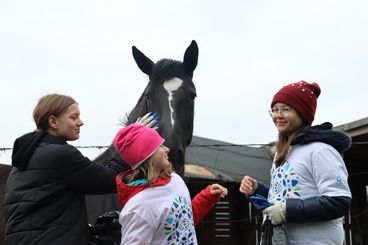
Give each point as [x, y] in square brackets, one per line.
[302, 96]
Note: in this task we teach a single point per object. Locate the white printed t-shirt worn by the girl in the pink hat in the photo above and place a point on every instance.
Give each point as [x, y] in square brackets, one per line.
[159, 215]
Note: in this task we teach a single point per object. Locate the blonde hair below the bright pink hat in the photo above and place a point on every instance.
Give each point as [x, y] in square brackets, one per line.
[147, 170]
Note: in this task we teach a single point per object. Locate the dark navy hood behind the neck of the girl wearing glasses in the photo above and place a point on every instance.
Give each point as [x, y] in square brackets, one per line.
[324, 133]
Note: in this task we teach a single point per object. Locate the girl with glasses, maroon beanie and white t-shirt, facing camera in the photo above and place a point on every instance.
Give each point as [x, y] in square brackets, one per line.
[309, 188]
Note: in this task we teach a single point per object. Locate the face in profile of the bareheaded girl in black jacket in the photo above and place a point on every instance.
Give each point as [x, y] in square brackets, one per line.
[68, 124]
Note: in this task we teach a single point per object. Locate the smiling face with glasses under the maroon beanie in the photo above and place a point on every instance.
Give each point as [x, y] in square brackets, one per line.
[286, 119]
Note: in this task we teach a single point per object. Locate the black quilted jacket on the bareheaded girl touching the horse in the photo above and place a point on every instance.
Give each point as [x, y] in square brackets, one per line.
[45, 191]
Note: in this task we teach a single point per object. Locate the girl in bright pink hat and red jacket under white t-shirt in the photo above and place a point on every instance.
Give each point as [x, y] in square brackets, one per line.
[157, 206]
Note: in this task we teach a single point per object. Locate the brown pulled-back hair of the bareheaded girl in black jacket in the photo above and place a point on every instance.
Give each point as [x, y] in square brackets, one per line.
[51, 104]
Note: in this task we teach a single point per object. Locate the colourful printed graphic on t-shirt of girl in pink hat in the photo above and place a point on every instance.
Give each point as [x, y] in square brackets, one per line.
[179, 227]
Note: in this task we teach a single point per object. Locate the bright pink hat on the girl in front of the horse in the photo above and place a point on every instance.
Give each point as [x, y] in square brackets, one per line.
[136, 143]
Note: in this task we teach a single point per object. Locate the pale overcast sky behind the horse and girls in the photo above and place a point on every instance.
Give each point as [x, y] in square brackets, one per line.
[247, 51]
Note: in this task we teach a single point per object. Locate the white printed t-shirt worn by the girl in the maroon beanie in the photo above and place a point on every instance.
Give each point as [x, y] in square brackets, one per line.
[315, 169]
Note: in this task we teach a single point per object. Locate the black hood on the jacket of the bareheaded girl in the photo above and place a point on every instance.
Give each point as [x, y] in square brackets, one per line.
[25, 145]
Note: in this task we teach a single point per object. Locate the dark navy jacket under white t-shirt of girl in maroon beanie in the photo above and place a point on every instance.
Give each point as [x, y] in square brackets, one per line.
[319, 208]
